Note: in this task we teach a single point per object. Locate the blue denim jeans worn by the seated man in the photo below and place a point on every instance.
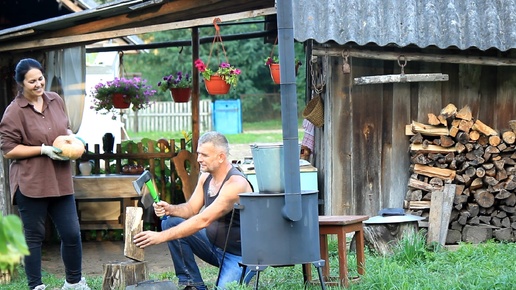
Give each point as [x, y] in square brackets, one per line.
[187, 271]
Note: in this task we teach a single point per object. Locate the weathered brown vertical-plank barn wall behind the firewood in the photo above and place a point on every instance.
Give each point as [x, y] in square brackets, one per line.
[365, 158]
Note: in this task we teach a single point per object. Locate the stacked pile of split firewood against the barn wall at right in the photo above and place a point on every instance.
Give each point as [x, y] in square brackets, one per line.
[455, 148]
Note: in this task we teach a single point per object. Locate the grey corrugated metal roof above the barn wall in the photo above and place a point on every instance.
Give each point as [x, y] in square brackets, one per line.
[464, 24]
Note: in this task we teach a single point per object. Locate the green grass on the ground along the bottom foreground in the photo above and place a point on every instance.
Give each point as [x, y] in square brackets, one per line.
[412, 266]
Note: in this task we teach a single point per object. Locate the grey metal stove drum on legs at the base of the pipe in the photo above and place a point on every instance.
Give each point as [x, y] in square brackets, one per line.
[268, 238]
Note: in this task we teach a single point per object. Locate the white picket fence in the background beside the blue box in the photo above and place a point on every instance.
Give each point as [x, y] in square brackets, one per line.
[169, 117]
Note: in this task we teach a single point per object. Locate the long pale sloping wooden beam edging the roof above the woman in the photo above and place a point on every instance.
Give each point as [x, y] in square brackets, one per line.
[99, 36]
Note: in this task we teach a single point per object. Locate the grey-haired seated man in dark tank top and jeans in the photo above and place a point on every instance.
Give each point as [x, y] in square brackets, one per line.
[189, 231]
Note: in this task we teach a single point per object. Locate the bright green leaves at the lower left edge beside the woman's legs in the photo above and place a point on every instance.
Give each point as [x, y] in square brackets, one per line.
[12, 242]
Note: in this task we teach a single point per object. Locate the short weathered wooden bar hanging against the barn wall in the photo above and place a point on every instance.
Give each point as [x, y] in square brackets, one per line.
[406, 78]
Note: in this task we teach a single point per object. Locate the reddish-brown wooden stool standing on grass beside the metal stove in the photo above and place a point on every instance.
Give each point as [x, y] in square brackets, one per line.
[340, 226]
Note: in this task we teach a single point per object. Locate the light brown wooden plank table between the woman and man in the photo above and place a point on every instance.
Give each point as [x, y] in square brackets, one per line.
[105, 188]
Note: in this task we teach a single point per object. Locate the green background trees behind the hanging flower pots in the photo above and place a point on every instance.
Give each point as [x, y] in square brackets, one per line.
[259, 95]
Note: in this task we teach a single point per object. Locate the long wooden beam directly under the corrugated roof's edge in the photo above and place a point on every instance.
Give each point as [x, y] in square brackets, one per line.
[424, 57]
